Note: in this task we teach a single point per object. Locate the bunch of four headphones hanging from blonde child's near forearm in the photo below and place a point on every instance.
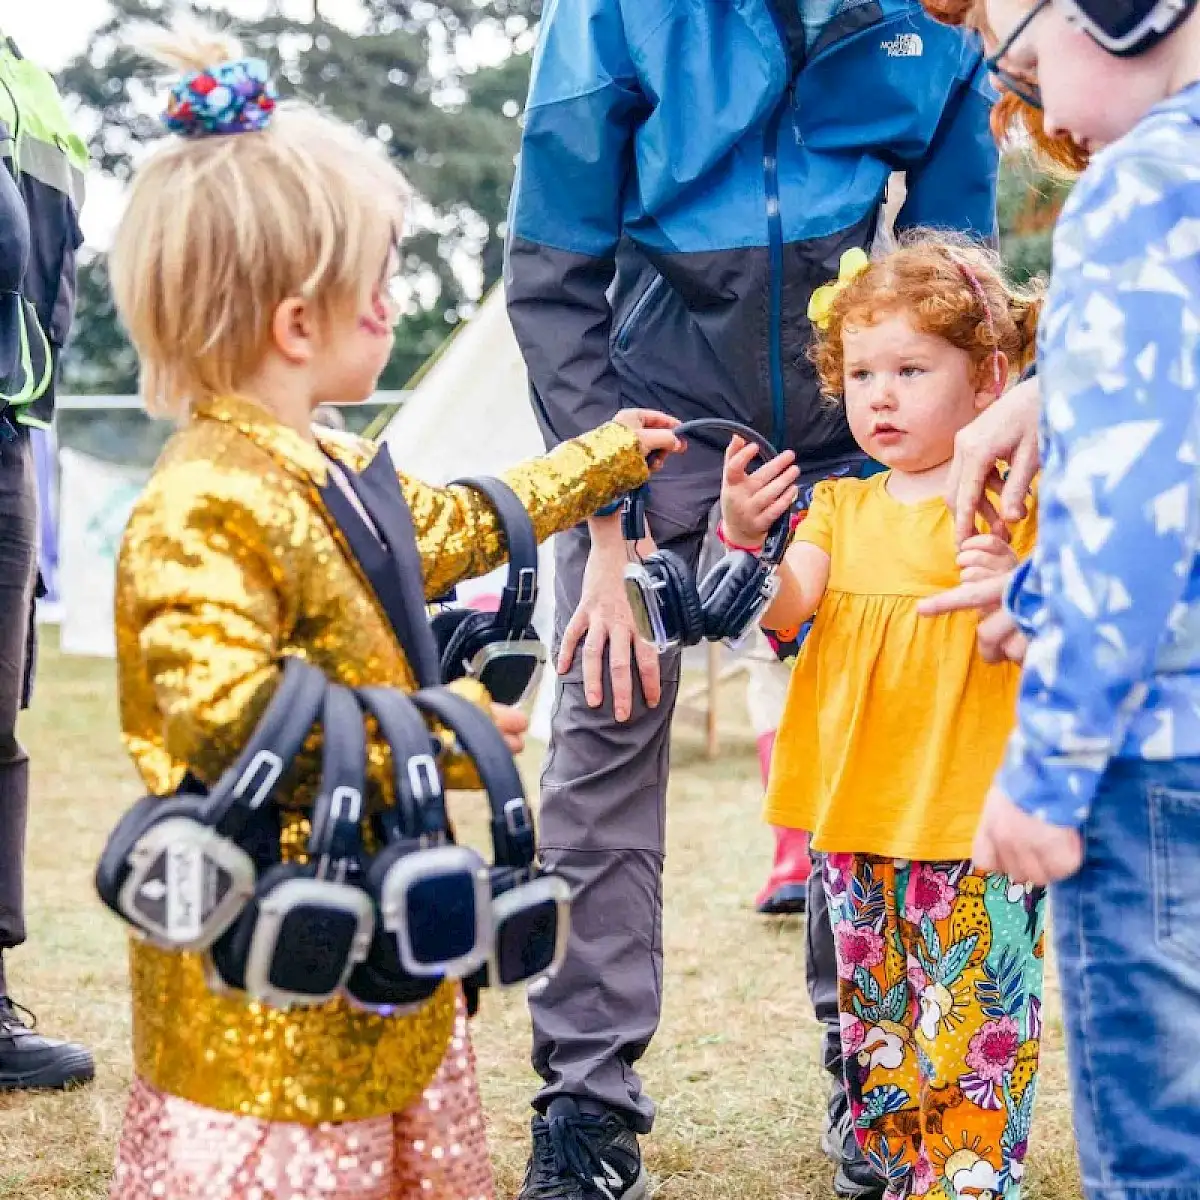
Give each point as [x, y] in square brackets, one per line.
[203, 873]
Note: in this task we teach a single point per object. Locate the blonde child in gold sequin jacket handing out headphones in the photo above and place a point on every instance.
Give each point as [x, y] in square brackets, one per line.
[256, 271]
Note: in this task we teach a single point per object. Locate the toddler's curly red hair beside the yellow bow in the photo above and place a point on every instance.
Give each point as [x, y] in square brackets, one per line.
[949, 287]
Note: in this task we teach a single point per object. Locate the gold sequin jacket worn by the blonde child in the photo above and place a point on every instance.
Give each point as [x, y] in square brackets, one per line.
[229, 562]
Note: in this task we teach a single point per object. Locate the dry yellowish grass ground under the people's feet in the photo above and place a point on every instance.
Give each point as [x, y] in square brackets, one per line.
[735, 1066]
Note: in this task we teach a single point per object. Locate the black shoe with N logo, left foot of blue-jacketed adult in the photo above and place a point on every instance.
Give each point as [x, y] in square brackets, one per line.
[583, 1157]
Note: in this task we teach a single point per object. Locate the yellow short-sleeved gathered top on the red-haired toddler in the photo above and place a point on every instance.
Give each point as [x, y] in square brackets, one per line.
[895, 725]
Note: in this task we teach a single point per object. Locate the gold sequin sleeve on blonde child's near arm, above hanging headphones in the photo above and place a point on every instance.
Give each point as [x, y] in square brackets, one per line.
[203, 607]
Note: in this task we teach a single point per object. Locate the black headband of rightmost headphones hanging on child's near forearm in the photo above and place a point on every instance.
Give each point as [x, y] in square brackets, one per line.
[513, 839]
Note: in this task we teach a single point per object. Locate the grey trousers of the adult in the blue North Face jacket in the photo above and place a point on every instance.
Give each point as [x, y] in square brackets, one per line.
[603, 827]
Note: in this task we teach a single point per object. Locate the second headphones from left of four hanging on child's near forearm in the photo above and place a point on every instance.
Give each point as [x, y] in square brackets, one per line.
[308, 926]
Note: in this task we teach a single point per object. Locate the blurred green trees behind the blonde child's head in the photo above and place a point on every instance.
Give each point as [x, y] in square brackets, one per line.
[403, 77]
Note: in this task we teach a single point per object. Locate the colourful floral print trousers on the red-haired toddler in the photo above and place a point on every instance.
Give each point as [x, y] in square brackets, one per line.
[940, 993]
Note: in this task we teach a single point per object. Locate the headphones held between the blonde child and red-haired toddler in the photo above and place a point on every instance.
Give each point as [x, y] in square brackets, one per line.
[669, 608]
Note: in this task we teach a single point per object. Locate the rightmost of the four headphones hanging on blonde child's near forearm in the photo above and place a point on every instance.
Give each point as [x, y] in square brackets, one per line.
[530, 908]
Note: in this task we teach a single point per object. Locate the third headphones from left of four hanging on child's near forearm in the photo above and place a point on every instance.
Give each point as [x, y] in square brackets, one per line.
[433, 898]
